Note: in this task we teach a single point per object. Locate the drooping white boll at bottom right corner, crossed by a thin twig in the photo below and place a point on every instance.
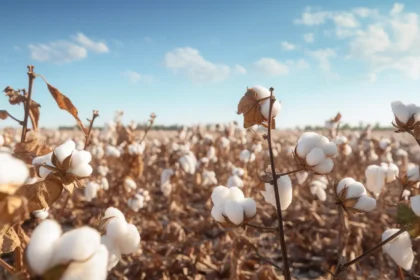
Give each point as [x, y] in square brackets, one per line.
[399, 249]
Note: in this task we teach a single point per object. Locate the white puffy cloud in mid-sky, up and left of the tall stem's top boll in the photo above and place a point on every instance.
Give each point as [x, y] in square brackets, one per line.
[197, 69]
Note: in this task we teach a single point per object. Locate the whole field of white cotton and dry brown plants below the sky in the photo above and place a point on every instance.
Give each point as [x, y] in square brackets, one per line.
[227, 201]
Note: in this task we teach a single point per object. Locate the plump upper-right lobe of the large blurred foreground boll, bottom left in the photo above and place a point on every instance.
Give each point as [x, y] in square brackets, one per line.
[76, 245]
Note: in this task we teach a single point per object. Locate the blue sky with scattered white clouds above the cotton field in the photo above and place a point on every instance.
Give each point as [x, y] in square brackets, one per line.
[191, 61]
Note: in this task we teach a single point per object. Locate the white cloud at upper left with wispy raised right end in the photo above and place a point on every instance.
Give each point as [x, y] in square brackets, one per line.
[65, 51]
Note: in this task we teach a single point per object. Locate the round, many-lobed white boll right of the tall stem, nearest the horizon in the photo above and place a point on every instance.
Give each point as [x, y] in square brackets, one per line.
[315, 152]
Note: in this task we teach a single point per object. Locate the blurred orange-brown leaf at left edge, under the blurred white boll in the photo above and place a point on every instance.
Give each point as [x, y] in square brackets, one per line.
[13, 209]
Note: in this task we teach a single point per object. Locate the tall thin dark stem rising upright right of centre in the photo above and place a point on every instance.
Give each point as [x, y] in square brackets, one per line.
[286, 269]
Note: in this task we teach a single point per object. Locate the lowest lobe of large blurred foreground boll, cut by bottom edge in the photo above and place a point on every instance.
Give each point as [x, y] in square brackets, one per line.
[94, 268]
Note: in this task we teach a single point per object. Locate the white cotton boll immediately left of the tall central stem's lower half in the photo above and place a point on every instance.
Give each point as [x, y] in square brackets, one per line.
[231, 207]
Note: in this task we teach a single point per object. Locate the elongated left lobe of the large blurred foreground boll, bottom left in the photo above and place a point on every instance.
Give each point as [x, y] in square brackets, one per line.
[41, 246]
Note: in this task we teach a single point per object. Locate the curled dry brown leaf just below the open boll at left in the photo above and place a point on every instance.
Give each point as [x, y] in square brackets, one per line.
[42, 194]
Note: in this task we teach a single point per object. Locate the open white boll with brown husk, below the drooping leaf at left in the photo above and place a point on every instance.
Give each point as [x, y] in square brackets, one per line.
[65, 159]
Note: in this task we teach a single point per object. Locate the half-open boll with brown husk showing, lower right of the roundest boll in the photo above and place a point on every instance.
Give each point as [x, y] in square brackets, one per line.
[353, 197]
